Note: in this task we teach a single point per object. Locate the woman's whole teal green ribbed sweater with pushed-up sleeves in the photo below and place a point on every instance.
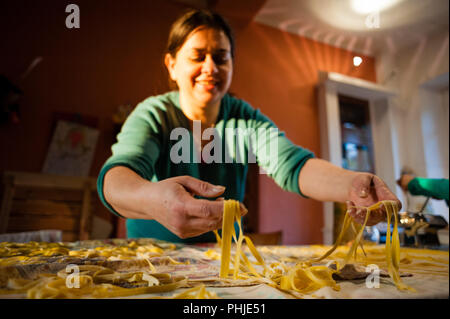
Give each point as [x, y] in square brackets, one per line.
[146, 146]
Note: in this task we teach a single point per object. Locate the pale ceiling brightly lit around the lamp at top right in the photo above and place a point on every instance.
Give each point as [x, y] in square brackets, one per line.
[358, 25]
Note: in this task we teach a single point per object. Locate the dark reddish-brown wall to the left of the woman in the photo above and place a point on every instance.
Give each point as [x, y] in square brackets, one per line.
[115, 57]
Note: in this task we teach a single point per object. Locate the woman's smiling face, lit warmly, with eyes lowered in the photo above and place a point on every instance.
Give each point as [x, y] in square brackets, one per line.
[202, 67]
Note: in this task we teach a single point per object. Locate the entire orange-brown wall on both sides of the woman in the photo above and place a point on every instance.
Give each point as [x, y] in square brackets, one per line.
[116, 58]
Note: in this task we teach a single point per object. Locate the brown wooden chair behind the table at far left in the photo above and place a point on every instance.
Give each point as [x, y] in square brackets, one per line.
[34, 201]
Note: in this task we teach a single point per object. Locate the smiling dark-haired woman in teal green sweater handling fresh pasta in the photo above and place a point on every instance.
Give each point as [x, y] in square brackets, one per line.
[168, 196]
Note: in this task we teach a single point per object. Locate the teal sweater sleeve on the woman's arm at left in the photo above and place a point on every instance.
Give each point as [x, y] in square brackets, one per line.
[137, 148]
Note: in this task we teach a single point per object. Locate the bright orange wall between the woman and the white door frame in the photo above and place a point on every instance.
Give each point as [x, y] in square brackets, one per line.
[277, 72]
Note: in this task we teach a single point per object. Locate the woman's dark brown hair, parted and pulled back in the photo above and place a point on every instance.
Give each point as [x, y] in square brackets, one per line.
[190, 21]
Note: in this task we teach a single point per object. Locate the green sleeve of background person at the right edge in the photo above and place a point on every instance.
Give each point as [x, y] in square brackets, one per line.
[430, 187]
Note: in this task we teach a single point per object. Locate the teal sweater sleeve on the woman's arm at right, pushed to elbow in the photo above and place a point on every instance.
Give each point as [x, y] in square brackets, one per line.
[275, 153]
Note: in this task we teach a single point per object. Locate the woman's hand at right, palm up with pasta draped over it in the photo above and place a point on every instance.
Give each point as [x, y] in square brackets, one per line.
[367, 190]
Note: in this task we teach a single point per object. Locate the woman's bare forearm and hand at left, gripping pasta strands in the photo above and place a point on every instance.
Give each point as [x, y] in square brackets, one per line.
[171, 202]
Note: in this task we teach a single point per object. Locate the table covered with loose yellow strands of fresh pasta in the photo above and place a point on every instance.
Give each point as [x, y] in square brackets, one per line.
[147, 268]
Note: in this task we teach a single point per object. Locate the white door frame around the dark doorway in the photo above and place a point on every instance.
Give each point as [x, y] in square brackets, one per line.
[384, 133]
